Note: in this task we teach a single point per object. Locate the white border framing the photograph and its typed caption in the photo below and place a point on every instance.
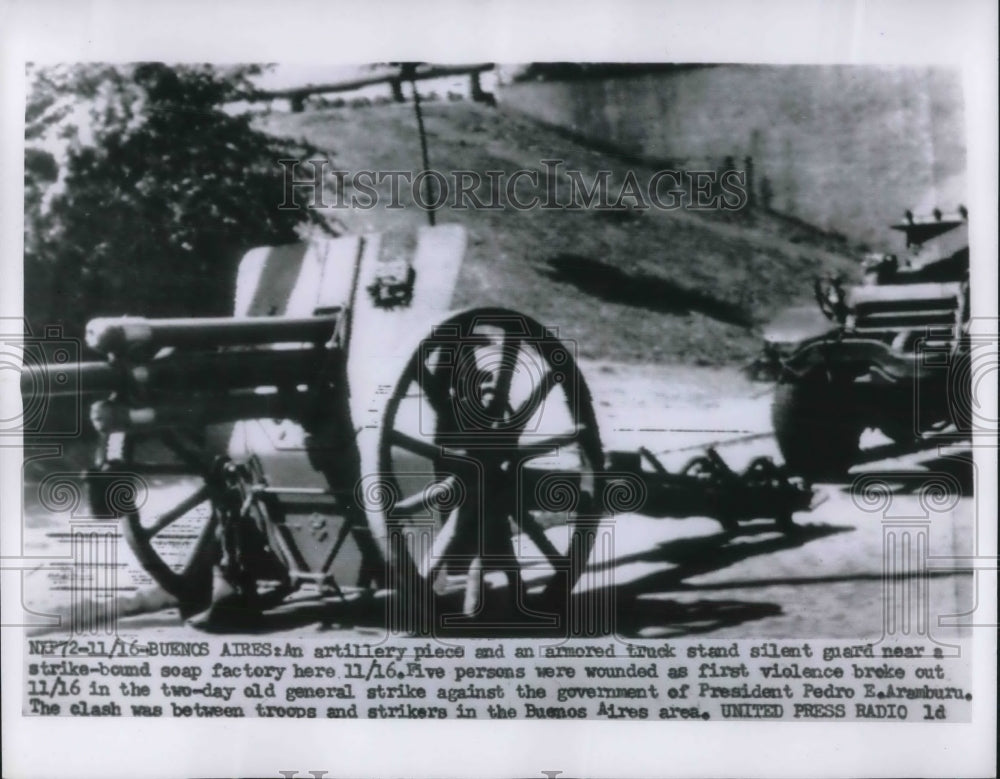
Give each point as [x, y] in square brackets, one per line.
[962, 34]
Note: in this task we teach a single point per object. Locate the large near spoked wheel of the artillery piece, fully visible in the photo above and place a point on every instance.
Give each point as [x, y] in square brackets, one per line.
[489, 461]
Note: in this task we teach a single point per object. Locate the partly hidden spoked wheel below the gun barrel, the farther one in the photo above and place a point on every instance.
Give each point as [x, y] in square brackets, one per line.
[166, 491]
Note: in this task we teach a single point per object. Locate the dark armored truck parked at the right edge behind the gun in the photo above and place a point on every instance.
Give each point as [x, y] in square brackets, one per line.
[889, 353]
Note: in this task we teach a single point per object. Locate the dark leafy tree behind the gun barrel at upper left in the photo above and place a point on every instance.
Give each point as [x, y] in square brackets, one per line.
[143, 187]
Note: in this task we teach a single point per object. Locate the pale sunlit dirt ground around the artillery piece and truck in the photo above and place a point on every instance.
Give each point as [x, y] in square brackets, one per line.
[672, 577]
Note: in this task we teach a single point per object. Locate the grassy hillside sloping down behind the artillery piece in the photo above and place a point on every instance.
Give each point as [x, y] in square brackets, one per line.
[636, 286]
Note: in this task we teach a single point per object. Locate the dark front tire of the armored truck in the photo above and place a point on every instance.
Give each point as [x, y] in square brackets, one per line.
[817, 426]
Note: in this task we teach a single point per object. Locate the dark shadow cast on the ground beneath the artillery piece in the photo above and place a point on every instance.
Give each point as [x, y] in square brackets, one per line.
[628, 609]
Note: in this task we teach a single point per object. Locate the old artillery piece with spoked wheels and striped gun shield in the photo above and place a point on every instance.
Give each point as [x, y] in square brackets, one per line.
[342, 416]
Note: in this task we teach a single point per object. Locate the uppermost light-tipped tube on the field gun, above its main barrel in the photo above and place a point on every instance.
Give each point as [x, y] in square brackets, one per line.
[123, 334]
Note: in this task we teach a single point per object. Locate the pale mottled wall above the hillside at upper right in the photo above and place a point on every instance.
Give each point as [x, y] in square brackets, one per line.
[848, 148]
